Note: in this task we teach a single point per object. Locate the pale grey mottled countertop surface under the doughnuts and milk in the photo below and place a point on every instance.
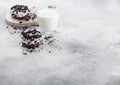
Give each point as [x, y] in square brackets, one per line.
[89, 34]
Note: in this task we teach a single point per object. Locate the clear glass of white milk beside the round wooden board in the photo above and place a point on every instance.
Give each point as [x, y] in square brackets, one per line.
[48, 19]
